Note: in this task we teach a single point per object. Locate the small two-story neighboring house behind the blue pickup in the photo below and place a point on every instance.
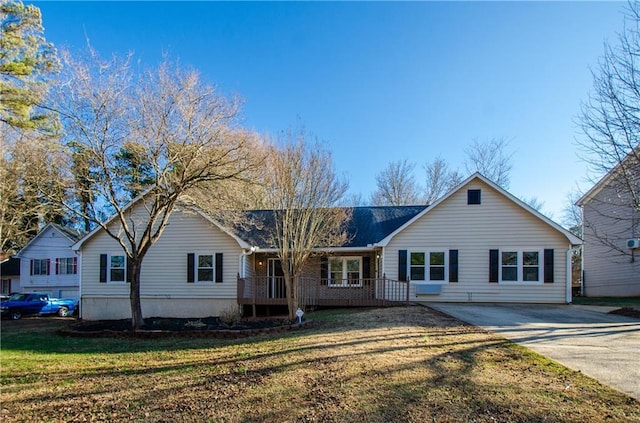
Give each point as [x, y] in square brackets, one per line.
[48, 264]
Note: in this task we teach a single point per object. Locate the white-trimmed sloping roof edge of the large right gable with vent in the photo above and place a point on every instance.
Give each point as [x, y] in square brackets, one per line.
[574, 240]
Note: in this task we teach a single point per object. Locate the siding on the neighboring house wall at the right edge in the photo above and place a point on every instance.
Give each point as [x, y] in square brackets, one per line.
[609, 271]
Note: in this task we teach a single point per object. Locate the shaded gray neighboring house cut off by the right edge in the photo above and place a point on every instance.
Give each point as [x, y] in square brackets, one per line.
[611, 232]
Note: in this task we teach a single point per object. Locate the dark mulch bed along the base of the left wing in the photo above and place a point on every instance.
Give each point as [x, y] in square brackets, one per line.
[156, 327]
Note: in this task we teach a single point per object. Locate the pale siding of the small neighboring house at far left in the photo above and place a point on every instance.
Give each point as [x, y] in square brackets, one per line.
[50, 244]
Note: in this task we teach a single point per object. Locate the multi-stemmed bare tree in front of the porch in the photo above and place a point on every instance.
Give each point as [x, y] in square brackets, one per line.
[303, 191]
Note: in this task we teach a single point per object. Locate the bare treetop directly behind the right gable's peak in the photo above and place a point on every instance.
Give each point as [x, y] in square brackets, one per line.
[492, 159]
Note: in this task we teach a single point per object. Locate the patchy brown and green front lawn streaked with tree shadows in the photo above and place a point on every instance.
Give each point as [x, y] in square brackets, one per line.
[374, 365]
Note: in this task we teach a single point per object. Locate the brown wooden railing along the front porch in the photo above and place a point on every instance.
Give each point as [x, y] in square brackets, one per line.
[318, 292]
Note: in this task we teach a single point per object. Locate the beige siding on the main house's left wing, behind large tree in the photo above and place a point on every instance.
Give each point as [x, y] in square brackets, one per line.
[164, 269]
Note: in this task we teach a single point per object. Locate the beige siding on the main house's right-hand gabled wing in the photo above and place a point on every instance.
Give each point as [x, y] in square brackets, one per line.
[473, 230]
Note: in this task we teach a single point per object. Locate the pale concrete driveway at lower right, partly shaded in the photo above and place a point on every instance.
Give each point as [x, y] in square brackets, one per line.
[603, 346]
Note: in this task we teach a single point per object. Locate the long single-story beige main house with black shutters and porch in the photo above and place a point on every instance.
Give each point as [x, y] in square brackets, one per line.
[476, 244]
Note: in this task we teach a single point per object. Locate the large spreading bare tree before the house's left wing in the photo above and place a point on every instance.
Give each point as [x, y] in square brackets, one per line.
[180, 128]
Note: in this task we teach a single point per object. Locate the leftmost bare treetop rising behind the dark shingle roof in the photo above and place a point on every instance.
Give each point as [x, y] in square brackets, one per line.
[396, 185]
